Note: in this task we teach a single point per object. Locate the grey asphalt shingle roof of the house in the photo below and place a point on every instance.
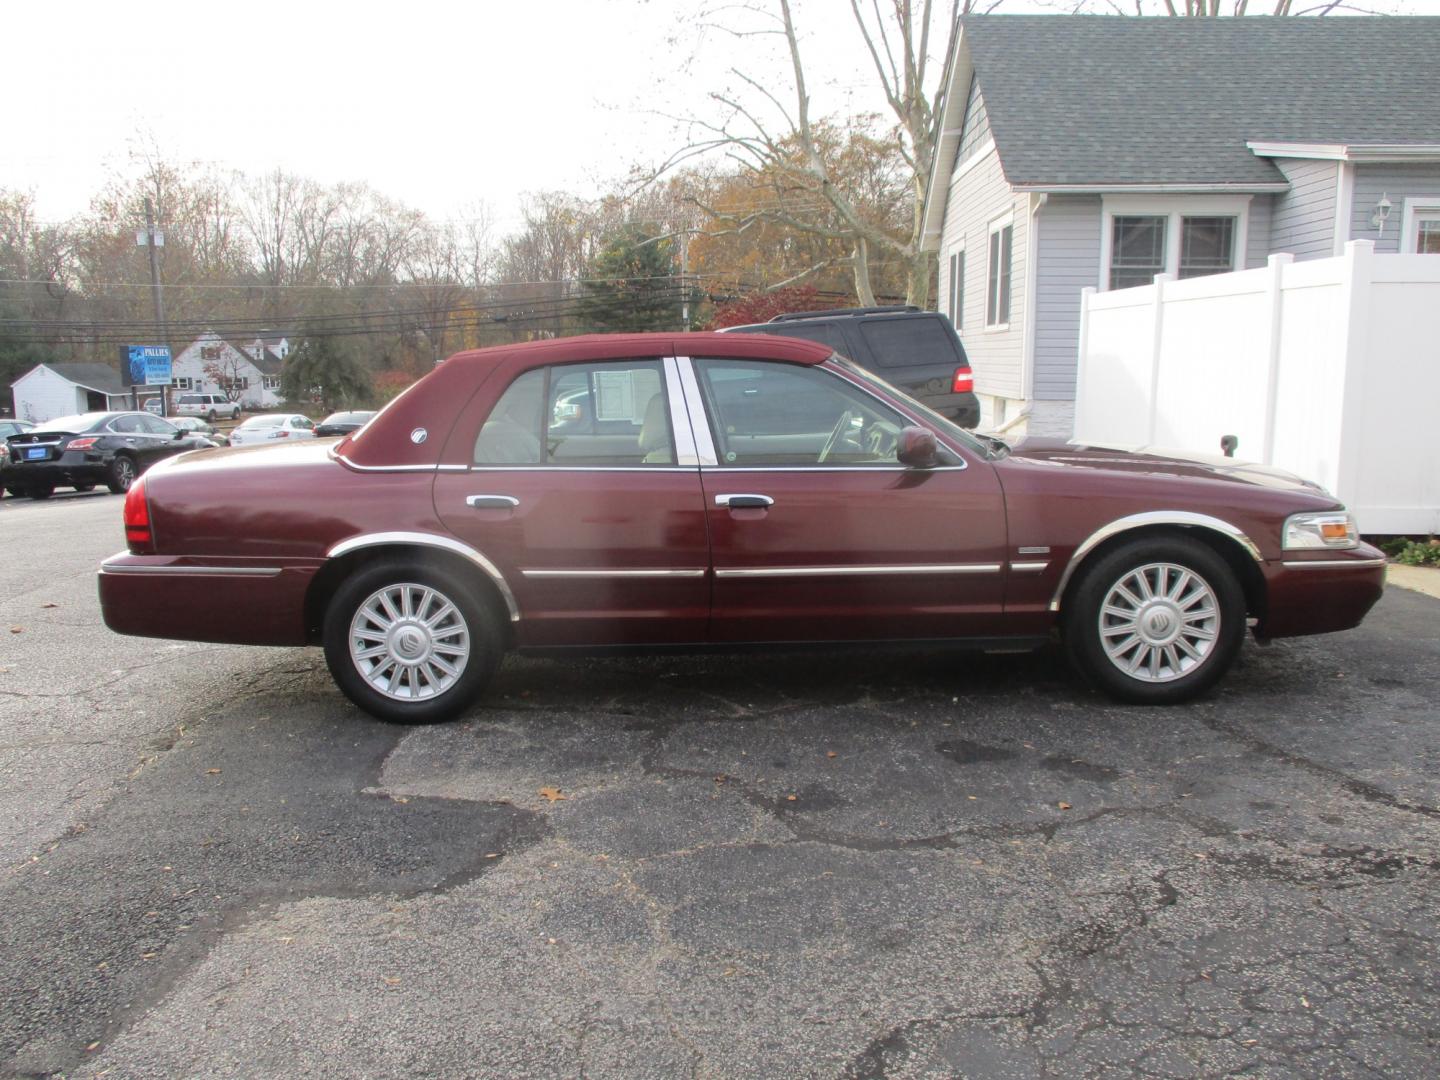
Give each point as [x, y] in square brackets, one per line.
[1098, 100]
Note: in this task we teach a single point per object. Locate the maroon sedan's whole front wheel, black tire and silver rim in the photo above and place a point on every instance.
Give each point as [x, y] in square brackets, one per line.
[1166, 631]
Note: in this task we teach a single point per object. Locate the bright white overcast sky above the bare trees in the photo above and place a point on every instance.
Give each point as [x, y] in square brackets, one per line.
[440, 106]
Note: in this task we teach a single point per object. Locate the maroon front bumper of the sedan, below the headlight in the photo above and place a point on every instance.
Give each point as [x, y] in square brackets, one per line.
[1320, 593]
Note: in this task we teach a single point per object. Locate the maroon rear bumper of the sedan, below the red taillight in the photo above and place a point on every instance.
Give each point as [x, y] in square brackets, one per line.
[234, 601]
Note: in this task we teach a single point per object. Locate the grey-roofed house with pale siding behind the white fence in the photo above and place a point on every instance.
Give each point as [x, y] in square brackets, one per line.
[1099, 152]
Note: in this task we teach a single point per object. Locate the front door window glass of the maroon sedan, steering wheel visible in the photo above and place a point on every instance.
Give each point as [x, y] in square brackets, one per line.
[791, 415]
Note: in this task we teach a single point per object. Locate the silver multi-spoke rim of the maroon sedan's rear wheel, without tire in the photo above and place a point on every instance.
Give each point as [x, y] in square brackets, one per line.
[410, 642]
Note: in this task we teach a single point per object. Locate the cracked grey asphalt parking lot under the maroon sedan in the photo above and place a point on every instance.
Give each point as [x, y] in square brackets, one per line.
[829, 866]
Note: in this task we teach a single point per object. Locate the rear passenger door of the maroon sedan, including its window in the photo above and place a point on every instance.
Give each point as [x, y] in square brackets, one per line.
[578, 493]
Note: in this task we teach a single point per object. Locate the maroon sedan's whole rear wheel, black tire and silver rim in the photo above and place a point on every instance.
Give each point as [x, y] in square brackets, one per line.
[411, 643]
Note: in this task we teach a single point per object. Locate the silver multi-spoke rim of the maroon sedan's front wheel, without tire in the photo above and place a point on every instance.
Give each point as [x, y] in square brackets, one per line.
[1160, 623]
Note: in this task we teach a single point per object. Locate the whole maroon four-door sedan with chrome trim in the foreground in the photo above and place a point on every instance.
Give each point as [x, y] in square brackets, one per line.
[716, 490]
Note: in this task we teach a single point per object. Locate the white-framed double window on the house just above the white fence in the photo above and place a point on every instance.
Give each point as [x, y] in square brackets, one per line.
[1184, 237]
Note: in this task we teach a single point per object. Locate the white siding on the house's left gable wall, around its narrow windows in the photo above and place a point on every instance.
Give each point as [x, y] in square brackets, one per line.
[978, 197]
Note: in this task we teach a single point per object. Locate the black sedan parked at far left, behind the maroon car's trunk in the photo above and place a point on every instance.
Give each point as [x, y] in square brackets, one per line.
[109, 449]
